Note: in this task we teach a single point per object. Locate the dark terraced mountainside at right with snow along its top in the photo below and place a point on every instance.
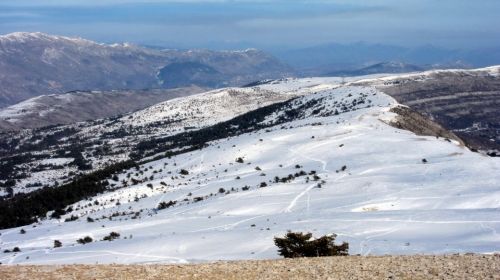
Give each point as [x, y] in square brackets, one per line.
[465, 102]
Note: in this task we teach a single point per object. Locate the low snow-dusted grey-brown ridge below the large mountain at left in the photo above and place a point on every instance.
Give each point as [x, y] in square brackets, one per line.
[78, 106]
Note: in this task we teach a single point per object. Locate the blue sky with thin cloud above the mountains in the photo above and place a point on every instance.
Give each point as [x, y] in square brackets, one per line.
[261, 23]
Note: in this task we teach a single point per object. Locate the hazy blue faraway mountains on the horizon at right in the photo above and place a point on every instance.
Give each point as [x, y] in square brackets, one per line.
[324, 59]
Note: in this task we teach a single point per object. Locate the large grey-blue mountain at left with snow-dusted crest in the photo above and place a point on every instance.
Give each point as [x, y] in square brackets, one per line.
[33, 64]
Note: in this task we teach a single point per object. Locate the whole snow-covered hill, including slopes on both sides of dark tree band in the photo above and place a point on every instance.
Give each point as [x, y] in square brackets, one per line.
[221, 173]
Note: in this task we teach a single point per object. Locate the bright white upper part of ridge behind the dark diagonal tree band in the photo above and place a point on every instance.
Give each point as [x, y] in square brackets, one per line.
[208, 108]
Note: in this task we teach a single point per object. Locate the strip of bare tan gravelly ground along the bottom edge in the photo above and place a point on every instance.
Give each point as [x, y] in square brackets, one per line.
[352, 267]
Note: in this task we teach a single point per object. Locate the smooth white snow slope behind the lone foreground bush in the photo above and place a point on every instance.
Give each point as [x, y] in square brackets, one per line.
[374, 190]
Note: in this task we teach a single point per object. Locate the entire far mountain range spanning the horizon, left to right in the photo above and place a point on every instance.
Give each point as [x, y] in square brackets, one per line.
[33, 64]
